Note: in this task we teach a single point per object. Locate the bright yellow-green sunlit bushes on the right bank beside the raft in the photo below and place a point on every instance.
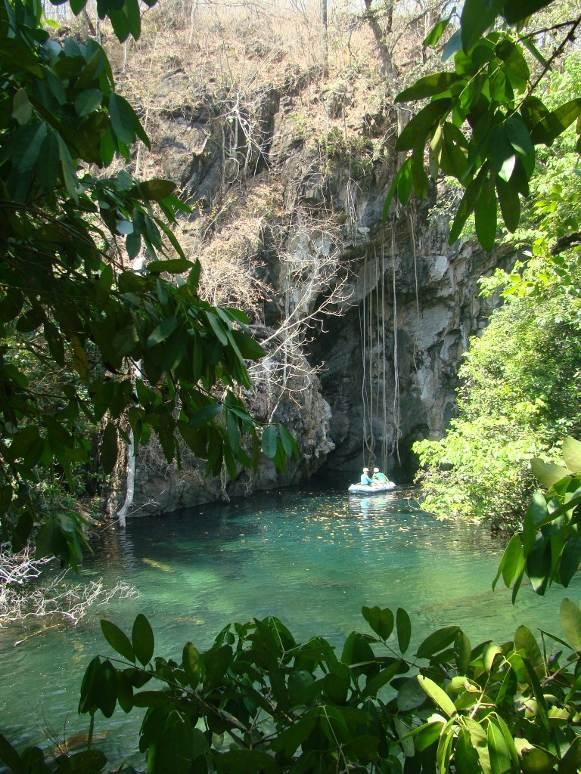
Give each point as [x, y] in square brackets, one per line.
[519, 380]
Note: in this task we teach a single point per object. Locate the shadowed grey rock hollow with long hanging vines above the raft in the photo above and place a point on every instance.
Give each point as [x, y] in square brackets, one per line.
[391, 362]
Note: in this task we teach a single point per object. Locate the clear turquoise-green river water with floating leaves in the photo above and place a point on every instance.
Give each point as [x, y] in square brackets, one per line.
[313, 559]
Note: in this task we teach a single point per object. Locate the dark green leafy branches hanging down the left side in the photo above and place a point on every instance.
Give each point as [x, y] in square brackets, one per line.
[88, 303]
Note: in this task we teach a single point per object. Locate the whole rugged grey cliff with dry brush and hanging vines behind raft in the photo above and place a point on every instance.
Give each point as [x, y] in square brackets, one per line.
[289, 184]
